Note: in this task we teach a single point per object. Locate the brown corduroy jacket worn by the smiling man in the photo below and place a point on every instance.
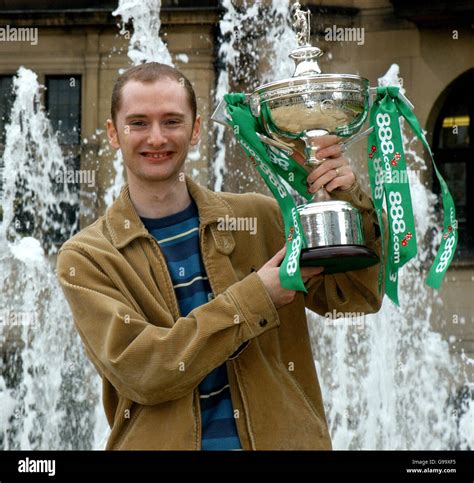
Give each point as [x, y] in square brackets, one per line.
[151, 358]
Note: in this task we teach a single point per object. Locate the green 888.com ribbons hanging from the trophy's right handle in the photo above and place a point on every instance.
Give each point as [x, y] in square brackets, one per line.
[389, 182]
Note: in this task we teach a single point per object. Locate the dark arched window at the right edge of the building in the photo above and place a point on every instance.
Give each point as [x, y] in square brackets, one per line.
[453, 148]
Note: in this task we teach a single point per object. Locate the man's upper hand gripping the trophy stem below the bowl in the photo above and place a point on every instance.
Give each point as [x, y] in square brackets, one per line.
[333, 173]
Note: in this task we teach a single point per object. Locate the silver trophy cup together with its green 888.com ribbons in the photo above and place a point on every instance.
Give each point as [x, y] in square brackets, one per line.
[279, 125]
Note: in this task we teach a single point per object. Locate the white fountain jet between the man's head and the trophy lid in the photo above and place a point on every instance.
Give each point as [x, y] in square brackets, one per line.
[247, 50]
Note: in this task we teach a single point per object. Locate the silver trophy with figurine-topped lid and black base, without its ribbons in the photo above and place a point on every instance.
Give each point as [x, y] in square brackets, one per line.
[295, 112]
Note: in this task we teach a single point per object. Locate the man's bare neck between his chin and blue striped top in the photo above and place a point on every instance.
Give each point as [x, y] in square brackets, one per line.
[158, 199]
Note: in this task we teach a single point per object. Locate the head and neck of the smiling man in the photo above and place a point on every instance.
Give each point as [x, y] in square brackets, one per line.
[154, 124]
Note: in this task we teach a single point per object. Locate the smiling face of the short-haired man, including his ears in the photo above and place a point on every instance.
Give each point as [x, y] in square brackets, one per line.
[154, 129]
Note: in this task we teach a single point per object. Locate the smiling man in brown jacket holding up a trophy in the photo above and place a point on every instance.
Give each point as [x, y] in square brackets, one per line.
[197, 343]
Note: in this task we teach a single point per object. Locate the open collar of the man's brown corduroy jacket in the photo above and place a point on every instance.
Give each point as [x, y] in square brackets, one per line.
[125, 225]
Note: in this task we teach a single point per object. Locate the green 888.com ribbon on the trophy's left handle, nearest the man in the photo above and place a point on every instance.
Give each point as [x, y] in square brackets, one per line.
[272, 163]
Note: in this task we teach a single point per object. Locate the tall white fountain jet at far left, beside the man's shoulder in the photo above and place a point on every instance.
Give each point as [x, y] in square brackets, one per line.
[48, 389]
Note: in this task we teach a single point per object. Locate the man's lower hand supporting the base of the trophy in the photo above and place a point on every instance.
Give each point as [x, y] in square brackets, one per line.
[271, 279]
